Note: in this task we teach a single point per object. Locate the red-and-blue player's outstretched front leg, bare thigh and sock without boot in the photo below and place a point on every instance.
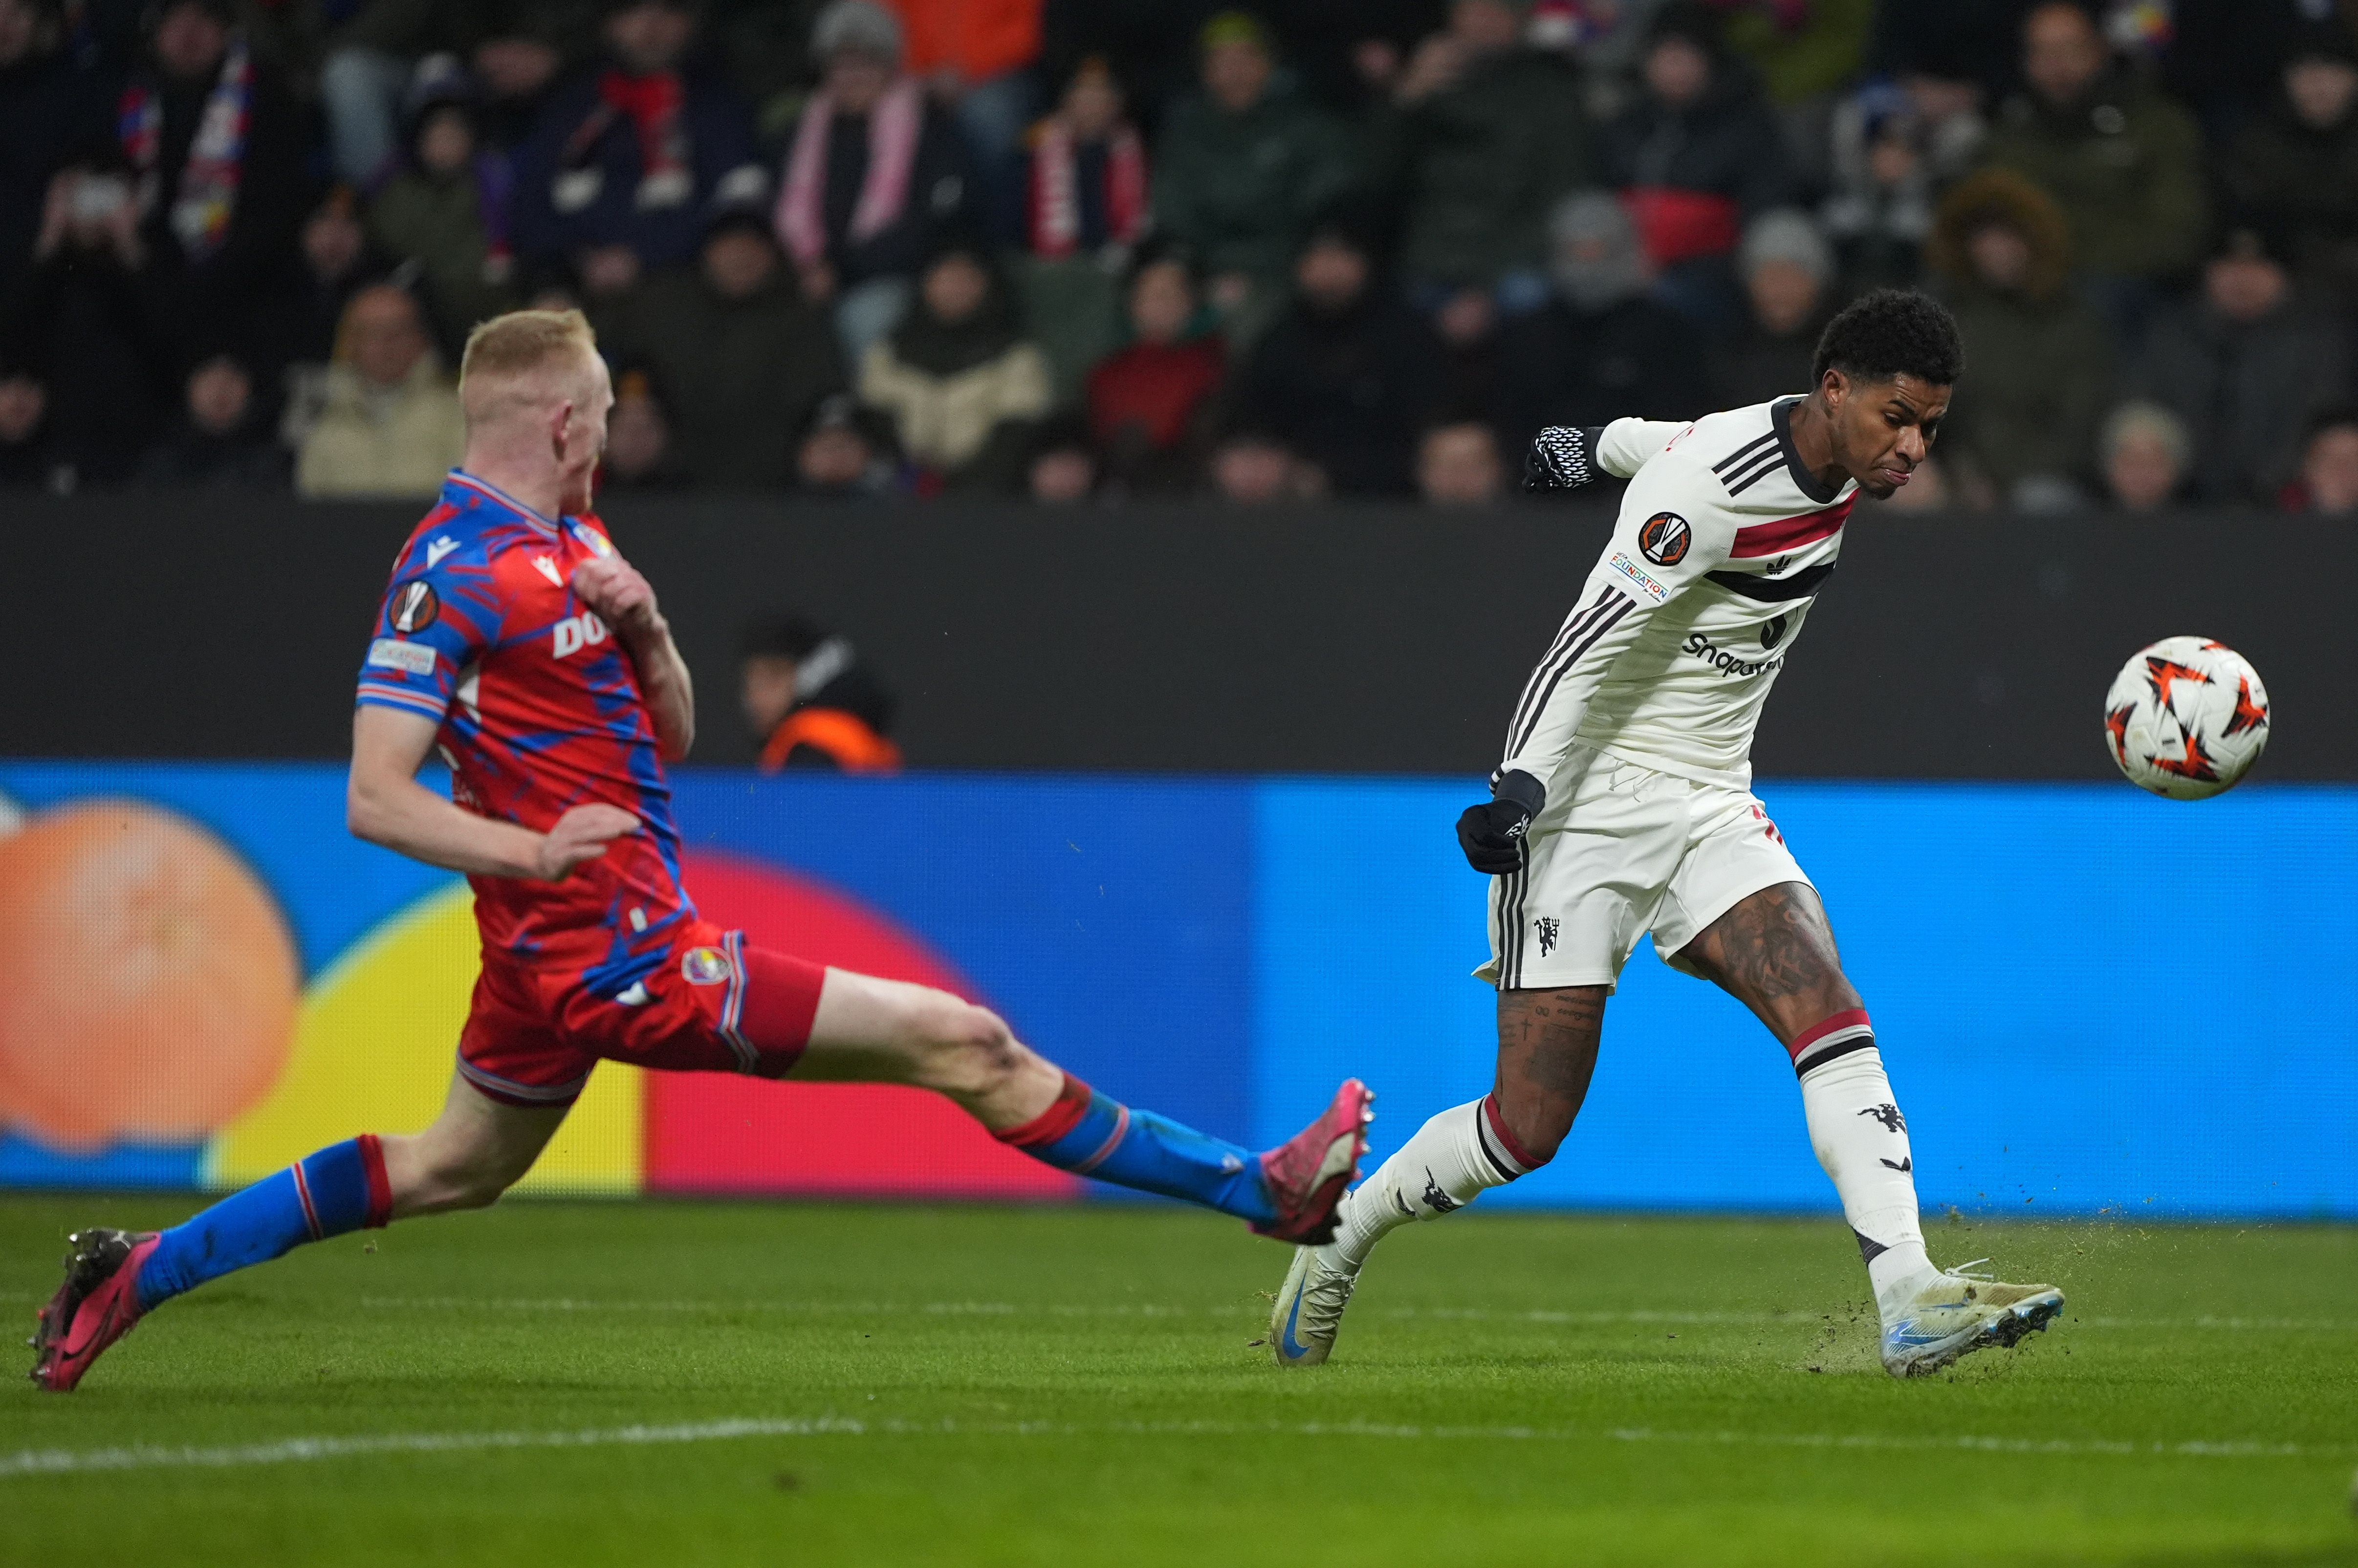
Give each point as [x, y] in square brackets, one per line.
[890, 1032]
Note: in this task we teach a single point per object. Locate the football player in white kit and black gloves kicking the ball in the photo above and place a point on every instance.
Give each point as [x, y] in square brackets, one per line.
[1623, 805]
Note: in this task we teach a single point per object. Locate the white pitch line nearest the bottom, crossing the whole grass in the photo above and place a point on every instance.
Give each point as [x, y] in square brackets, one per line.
[303, 1451]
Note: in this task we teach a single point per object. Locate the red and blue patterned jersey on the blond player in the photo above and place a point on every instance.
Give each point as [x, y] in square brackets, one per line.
[539, 713]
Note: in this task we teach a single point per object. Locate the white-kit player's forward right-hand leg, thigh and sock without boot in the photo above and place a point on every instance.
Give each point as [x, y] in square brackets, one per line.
[1777, 956]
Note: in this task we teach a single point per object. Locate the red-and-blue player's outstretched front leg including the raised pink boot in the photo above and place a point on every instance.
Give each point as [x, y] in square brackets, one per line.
[890, 1032]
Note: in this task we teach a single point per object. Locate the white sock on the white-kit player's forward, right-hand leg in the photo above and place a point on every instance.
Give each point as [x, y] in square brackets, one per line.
[1862, 1142]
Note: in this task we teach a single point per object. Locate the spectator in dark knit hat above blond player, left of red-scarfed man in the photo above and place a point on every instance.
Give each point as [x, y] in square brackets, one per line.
[447, 209]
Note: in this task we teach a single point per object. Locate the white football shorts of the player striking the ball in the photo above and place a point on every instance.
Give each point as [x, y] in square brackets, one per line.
[1619, 852]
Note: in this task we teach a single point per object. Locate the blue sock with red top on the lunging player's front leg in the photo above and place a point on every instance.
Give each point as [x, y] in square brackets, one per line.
[1093, 1135]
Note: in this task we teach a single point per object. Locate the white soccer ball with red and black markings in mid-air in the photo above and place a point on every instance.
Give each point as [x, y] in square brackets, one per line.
[2187, 718]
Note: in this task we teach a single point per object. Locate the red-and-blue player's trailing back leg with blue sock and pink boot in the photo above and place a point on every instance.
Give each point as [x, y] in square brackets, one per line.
[473, 1154]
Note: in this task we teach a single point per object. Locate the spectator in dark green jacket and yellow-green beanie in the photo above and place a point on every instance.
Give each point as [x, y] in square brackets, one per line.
[1239, 173]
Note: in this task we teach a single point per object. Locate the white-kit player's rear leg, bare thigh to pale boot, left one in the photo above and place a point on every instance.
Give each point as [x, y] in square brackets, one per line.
[1546, 1058]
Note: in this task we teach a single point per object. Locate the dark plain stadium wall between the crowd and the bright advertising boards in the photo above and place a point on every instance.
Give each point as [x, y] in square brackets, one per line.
[1329, 640]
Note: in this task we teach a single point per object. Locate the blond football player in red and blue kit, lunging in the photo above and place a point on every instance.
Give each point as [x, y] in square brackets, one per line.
[522, 650]
